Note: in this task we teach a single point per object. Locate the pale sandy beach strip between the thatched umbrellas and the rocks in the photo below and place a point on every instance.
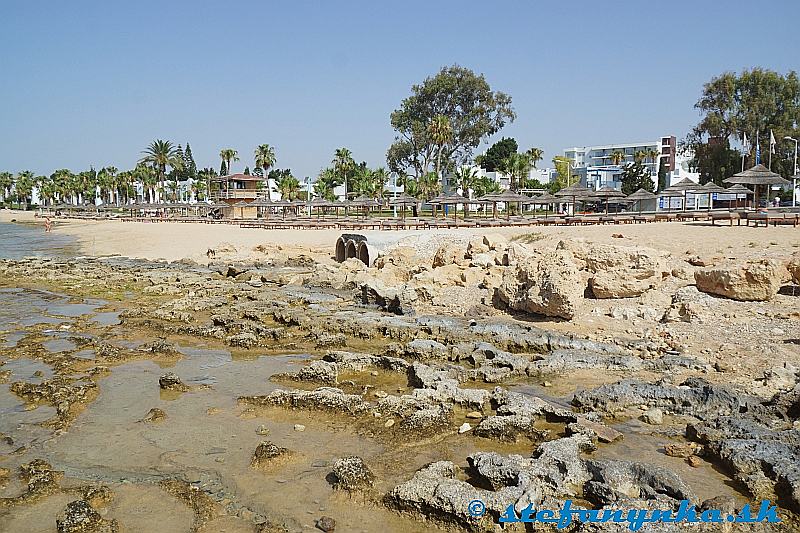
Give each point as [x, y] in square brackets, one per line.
[173, 241]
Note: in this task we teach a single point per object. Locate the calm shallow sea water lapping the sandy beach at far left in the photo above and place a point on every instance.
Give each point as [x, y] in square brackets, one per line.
[23, 240]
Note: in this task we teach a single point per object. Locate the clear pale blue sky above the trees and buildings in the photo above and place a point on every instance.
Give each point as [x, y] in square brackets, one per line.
[93, 82]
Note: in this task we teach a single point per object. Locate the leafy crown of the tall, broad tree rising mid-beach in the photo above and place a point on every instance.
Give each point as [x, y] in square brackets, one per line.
[473, 110]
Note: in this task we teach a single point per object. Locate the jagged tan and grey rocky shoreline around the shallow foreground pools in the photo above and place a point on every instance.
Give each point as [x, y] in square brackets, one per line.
[456, 347]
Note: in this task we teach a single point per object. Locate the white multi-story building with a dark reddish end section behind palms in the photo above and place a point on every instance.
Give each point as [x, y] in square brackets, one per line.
[601, 166]
